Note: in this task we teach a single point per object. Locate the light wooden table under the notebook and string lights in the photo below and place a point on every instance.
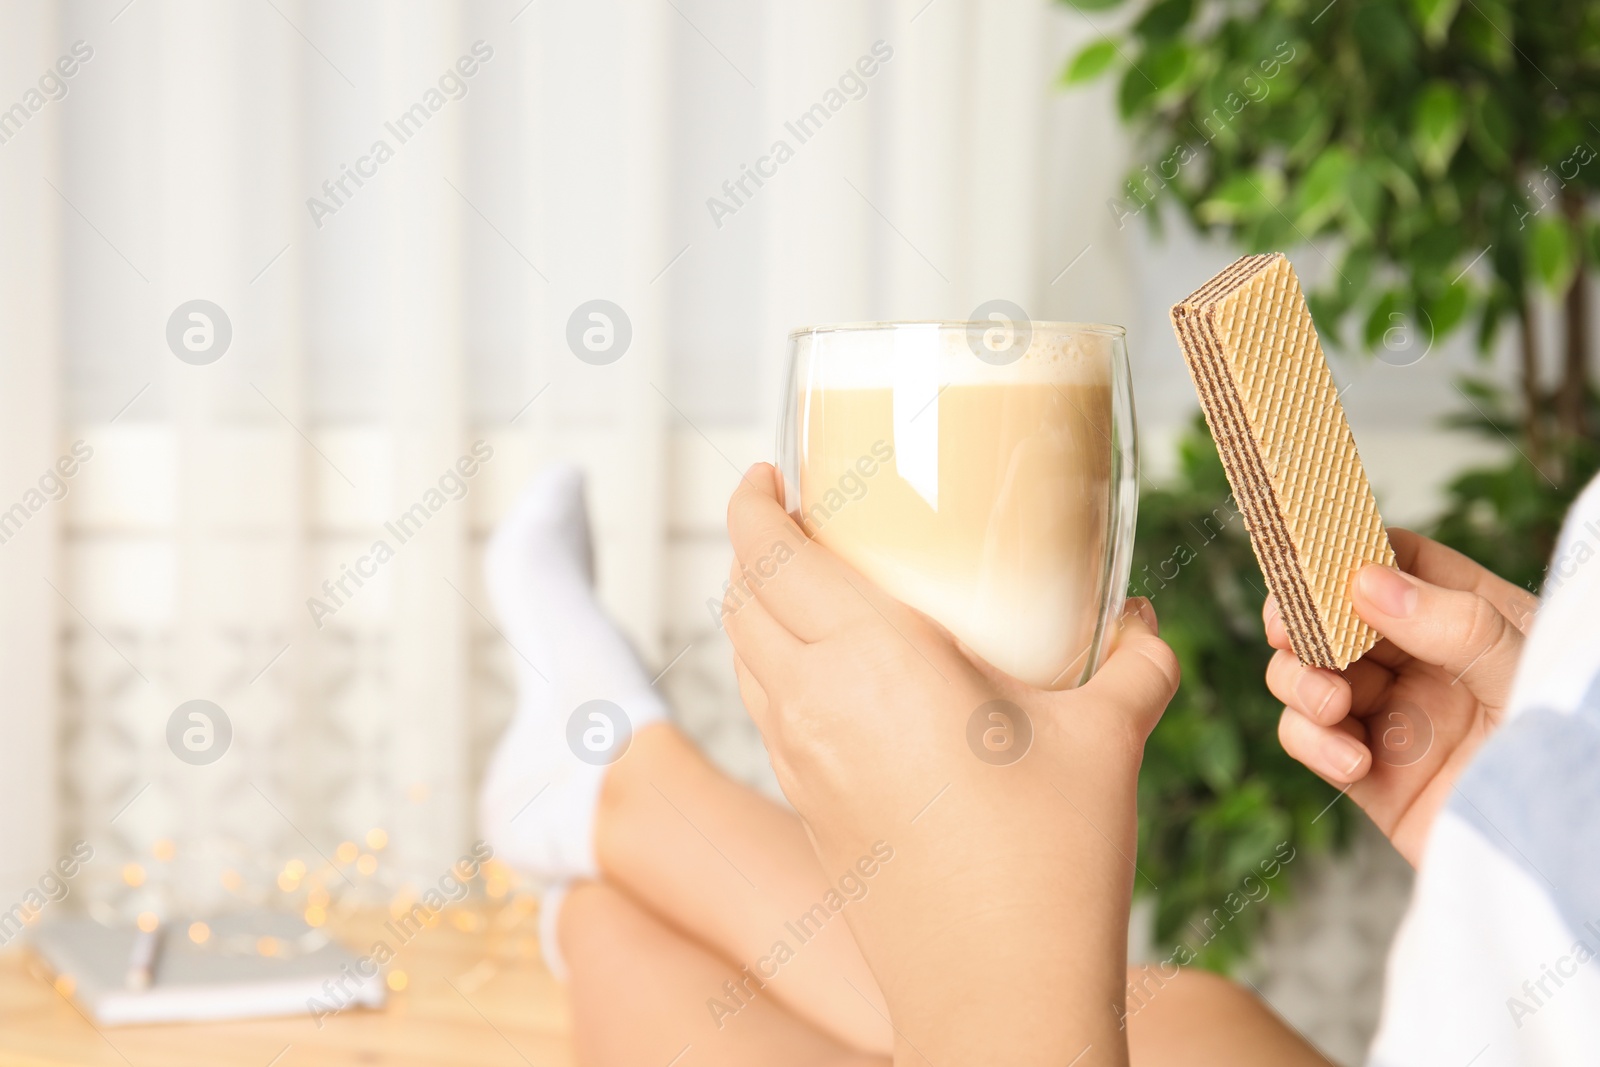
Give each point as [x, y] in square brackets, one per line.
[476, 993]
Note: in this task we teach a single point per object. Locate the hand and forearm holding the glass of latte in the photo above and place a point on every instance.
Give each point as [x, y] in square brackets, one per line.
[999, 929]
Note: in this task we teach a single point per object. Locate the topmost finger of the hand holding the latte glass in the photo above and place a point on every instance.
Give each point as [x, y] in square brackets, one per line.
[798, 580]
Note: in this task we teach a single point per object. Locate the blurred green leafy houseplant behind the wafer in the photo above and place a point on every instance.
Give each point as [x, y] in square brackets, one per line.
[1442, 159]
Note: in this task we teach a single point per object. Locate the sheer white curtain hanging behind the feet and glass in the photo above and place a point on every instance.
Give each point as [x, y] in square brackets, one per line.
[385, 324]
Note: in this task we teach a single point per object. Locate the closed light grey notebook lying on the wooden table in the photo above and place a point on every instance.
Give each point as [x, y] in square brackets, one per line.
[223, 978]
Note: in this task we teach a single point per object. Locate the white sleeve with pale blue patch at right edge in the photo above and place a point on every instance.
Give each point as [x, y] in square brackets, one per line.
[1497, 959]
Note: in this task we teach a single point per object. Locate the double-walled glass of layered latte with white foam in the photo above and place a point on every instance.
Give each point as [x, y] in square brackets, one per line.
[983, 473]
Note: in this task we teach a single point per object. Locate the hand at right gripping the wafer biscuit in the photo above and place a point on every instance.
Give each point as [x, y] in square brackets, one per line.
[1399, 725]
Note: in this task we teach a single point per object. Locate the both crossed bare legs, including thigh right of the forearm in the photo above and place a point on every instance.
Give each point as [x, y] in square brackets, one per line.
[730, 869]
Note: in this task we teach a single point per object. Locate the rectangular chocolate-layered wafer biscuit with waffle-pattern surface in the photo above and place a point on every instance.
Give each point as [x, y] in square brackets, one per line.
[1287, 449]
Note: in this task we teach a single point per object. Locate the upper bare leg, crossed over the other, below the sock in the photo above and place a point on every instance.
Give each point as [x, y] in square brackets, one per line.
[737, 873]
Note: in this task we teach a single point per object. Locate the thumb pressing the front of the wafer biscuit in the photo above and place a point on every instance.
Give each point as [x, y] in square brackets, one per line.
[1457, 631]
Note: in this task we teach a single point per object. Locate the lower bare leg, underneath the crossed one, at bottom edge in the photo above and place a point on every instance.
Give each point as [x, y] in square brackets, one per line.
[626, 962]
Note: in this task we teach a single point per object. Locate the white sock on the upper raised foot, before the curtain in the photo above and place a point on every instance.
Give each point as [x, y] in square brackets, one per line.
[540, 796]
